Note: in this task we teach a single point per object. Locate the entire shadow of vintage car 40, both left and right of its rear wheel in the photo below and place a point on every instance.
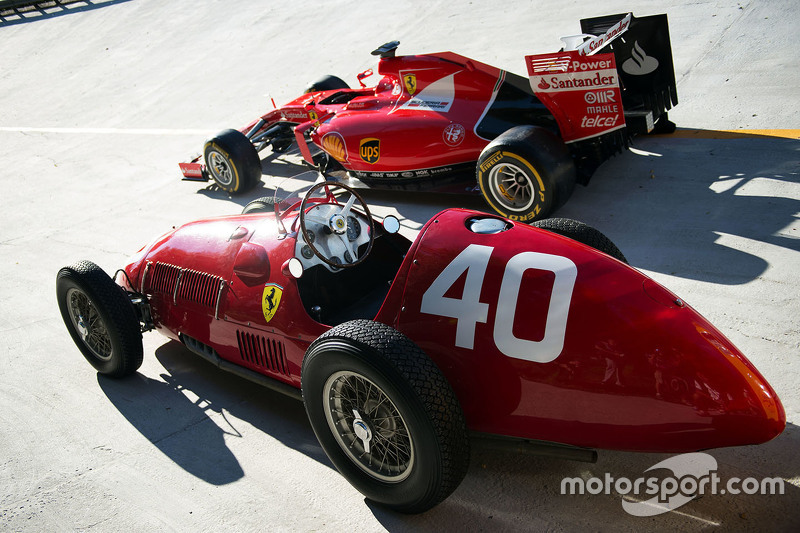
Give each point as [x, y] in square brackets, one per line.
[189, 413]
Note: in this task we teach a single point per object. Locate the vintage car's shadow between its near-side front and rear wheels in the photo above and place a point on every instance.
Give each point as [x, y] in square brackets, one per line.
[188, 413]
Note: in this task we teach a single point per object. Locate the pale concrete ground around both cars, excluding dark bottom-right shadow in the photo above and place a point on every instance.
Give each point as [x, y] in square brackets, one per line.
[102, 99]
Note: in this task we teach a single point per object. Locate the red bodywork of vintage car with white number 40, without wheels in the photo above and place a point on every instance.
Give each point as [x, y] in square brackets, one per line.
[541, 337]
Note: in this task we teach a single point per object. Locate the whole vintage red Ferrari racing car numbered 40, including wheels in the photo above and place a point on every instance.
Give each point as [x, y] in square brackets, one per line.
[480, 327]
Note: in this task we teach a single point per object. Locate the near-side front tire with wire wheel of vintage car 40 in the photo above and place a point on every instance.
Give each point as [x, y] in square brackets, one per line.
[100, 318]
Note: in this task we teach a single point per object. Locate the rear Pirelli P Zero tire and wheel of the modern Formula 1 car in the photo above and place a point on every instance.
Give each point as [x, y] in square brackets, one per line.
[536, 167]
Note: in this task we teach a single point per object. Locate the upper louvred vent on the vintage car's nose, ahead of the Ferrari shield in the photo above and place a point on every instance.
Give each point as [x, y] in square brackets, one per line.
[183, 283]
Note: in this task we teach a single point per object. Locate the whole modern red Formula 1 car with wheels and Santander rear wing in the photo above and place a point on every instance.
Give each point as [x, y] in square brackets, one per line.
[435, 121]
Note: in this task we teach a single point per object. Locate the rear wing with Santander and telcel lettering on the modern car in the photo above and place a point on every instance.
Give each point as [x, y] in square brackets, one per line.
[613, 81]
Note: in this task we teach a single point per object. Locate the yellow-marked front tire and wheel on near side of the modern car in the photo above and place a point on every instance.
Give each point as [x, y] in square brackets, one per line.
[232, 161]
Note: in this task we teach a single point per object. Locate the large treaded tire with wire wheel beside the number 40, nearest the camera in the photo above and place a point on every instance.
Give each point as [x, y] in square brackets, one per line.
[421, 418]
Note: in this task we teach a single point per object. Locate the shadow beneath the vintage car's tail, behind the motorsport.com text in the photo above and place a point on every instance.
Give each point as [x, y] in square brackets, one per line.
[505, 491]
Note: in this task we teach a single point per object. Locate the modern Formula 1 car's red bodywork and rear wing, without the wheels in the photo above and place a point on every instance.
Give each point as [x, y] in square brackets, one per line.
[428, 117]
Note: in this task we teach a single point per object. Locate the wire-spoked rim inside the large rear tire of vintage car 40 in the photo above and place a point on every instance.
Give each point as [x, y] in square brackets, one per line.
[368, 427]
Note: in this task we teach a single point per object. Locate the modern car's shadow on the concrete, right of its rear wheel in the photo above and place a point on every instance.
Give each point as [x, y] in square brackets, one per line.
[689, 205]
